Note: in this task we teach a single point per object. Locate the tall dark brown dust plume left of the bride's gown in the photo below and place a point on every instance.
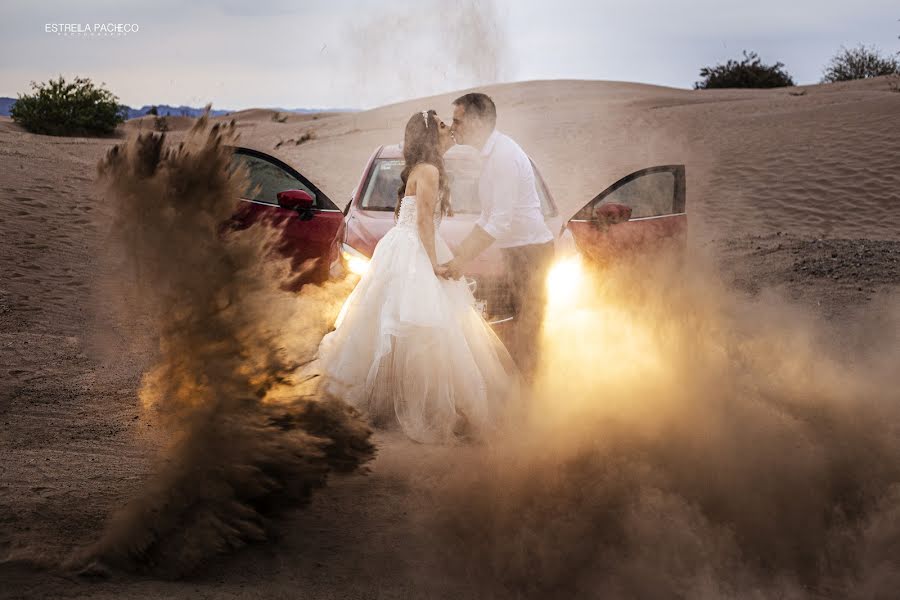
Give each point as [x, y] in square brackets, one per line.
[245, 439]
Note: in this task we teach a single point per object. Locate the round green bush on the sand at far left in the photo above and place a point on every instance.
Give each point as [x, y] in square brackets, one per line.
[62, 108]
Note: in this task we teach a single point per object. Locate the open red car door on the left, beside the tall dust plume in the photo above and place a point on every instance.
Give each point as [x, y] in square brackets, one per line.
[311, 225]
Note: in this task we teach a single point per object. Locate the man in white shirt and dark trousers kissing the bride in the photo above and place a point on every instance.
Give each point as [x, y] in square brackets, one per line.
[511, 217]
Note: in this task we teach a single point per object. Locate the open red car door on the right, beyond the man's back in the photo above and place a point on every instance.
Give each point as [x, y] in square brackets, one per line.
[638, 213]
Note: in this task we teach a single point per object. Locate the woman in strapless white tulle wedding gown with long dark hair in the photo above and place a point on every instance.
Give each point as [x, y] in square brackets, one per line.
[409, 348]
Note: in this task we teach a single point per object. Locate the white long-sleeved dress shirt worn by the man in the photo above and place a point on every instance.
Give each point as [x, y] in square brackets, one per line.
[510, 205]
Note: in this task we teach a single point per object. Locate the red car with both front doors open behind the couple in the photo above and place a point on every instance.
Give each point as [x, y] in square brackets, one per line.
[642, 209]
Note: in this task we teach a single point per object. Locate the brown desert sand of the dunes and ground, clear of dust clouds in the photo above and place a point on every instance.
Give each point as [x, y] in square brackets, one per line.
[790, 191]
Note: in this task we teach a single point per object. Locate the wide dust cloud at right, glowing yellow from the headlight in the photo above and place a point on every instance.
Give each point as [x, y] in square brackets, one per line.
[684, 441]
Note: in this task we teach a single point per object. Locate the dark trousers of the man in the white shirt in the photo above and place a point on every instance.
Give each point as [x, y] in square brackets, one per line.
[527, 268]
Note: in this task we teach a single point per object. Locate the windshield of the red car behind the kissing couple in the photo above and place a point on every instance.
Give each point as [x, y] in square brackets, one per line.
[383, 183]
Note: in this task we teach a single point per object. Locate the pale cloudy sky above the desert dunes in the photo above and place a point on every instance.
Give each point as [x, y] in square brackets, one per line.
[360, 54]
